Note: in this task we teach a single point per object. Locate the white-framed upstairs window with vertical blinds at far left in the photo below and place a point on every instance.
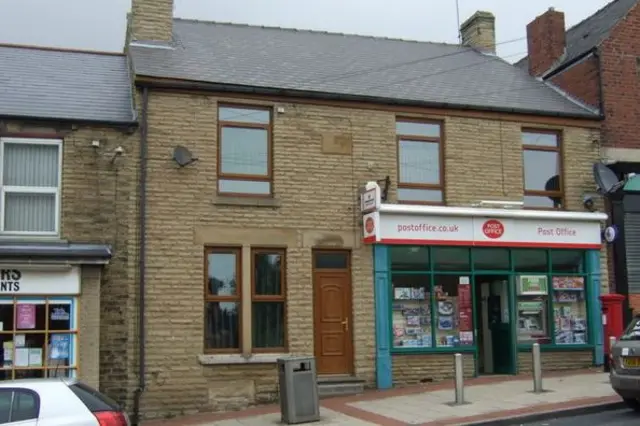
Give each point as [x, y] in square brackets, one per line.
[30, 178]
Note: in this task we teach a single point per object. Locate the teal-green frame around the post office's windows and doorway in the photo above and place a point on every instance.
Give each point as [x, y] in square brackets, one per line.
[394, 263]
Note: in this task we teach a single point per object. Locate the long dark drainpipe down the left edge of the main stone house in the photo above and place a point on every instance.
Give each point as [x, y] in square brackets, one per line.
[142, 187]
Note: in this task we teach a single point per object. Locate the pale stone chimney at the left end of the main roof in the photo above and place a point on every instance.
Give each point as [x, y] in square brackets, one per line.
[151, 20]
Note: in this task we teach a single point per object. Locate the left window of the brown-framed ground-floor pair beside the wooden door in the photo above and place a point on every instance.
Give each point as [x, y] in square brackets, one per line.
[222, 300]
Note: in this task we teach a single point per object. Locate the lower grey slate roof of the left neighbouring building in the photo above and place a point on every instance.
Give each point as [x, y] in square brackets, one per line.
[65, 85]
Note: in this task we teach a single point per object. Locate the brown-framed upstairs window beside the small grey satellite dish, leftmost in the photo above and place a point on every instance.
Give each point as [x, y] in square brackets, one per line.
[244, 150]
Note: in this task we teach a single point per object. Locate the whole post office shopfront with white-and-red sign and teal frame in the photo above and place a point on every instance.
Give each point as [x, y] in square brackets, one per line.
[486, 283]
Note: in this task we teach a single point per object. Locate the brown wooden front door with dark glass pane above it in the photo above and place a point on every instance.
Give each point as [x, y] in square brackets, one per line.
[333, 338]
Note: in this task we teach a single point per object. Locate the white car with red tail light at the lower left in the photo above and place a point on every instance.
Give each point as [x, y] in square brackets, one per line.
[57, 402]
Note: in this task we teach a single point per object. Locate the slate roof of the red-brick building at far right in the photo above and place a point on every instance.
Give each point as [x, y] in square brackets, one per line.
[589, 33]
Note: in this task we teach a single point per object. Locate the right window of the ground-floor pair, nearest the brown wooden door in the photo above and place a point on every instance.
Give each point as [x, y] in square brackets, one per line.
[268, 300]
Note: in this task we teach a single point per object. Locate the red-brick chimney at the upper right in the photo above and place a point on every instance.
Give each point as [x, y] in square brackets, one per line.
[546, 41]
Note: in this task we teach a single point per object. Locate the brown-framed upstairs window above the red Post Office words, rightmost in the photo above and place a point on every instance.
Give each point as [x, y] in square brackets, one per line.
[542, 164]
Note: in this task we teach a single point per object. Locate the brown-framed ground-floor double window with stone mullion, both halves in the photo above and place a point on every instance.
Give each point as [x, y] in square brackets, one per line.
[227, 290]
